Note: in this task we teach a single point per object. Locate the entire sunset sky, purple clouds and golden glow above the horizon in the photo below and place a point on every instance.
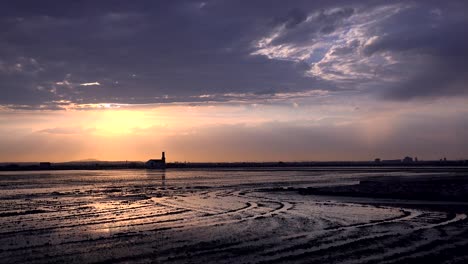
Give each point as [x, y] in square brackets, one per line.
[228, 80]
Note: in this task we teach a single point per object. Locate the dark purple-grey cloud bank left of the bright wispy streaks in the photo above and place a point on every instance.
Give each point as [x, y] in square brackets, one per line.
[140, 53]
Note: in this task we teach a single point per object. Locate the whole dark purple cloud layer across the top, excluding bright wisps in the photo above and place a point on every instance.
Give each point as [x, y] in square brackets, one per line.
[166, 51]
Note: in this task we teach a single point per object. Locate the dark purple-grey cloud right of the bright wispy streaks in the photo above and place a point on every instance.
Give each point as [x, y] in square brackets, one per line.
[436, 39]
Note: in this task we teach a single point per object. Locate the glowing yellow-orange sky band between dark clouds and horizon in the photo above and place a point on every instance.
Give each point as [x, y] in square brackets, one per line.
[230, 132]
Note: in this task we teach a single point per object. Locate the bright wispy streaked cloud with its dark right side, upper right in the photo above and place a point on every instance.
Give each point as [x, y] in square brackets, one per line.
[398, 51]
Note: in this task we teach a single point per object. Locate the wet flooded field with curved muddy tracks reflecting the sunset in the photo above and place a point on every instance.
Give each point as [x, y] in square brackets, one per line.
[219, 216]
